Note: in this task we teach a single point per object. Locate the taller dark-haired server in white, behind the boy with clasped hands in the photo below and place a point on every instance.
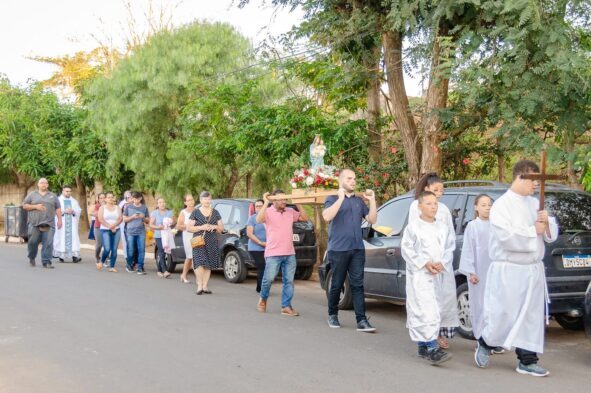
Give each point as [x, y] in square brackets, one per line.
[446, 289]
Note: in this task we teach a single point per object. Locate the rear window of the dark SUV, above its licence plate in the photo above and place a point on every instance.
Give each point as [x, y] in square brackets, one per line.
[572, 210]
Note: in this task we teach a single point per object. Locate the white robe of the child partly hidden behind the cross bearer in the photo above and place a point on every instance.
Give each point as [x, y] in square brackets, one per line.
[475, 260]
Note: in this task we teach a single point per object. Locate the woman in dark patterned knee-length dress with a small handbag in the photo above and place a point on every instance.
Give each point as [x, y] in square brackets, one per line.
[205, 223]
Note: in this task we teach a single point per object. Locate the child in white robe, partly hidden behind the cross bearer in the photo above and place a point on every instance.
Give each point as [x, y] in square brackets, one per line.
[475, 261]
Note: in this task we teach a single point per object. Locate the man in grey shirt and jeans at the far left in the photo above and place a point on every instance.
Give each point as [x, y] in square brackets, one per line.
[44, 212]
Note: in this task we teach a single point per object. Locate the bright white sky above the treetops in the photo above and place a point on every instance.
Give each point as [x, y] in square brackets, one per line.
[58, 27]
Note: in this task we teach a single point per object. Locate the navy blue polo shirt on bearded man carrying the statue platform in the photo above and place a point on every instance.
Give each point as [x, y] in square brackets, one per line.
[344, 231]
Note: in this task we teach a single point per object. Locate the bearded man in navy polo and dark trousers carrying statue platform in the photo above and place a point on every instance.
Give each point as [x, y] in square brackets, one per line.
[346, 253]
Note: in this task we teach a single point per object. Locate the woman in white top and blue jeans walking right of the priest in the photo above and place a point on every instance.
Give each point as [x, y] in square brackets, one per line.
[110, 217]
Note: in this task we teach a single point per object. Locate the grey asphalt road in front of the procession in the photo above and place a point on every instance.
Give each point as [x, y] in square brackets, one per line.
[75, 329]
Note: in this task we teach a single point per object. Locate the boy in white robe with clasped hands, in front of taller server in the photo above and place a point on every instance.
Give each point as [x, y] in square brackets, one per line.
[426, 247]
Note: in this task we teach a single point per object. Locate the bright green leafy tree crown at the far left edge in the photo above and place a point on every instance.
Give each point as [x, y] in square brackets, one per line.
[39, 136]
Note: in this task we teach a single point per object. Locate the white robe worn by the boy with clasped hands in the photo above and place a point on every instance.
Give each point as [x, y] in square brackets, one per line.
[423, 242]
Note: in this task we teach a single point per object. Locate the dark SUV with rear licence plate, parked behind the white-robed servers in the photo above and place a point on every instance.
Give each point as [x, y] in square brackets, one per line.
[567, 261]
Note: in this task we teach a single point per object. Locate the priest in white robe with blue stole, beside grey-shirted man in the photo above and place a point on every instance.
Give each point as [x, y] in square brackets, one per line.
[66, 242]
